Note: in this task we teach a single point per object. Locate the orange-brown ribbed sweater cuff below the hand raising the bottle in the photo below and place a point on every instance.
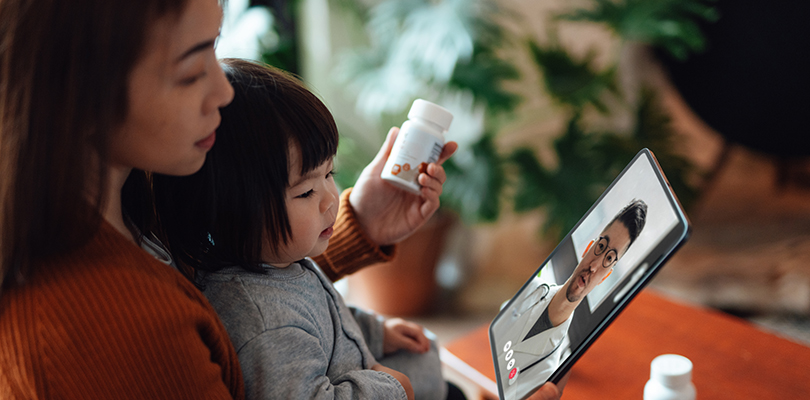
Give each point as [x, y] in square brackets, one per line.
[349, 248]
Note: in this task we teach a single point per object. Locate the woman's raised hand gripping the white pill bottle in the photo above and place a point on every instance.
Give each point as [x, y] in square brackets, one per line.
[388, 214]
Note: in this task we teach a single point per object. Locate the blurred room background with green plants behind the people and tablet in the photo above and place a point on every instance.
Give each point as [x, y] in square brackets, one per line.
[551, 99]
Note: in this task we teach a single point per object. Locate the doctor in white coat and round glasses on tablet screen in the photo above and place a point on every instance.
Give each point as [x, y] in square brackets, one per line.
[538, 336]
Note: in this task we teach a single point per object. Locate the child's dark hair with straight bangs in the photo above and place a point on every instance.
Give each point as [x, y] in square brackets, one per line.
[226, 212]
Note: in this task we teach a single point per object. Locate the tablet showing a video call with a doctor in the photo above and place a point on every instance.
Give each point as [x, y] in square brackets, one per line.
[612, 252]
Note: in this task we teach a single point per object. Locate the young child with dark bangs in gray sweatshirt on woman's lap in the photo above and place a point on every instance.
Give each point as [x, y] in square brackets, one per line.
[263, 203]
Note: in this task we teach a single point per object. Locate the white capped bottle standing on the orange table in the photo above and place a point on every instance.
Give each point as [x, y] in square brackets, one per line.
[670, 379]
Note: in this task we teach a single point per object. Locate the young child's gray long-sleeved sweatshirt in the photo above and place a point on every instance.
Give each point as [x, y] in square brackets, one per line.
[295, 337]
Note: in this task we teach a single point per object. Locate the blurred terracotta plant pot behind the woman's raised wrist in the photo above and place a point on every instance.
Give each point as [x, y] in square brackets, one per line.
[407, 285]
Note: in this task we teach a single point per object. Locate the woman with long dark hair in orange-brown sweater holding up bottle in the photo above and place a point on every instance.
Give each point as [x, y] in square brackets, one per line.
[91, 90]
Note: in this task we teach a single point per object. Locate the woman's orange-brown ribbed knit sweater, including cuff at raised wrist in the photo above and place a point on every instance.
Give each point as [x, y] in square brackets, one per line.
[108, 321]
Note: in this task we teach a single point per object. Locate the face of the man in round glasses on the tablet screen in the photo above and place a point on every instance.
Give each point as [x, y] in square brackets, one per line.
[598, 261]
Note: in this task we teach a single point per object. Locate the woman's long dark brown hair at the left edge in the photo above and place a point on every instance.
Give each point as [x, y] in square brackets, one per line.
[64, 71]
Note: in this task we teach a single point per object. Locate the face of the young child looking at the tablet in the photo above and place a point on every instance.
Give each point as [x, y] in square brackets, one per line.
[312, 205]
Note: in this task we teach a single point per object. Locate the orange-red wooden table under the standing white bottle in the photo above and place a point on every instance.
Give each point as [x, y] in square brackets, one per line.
[732, 358]
